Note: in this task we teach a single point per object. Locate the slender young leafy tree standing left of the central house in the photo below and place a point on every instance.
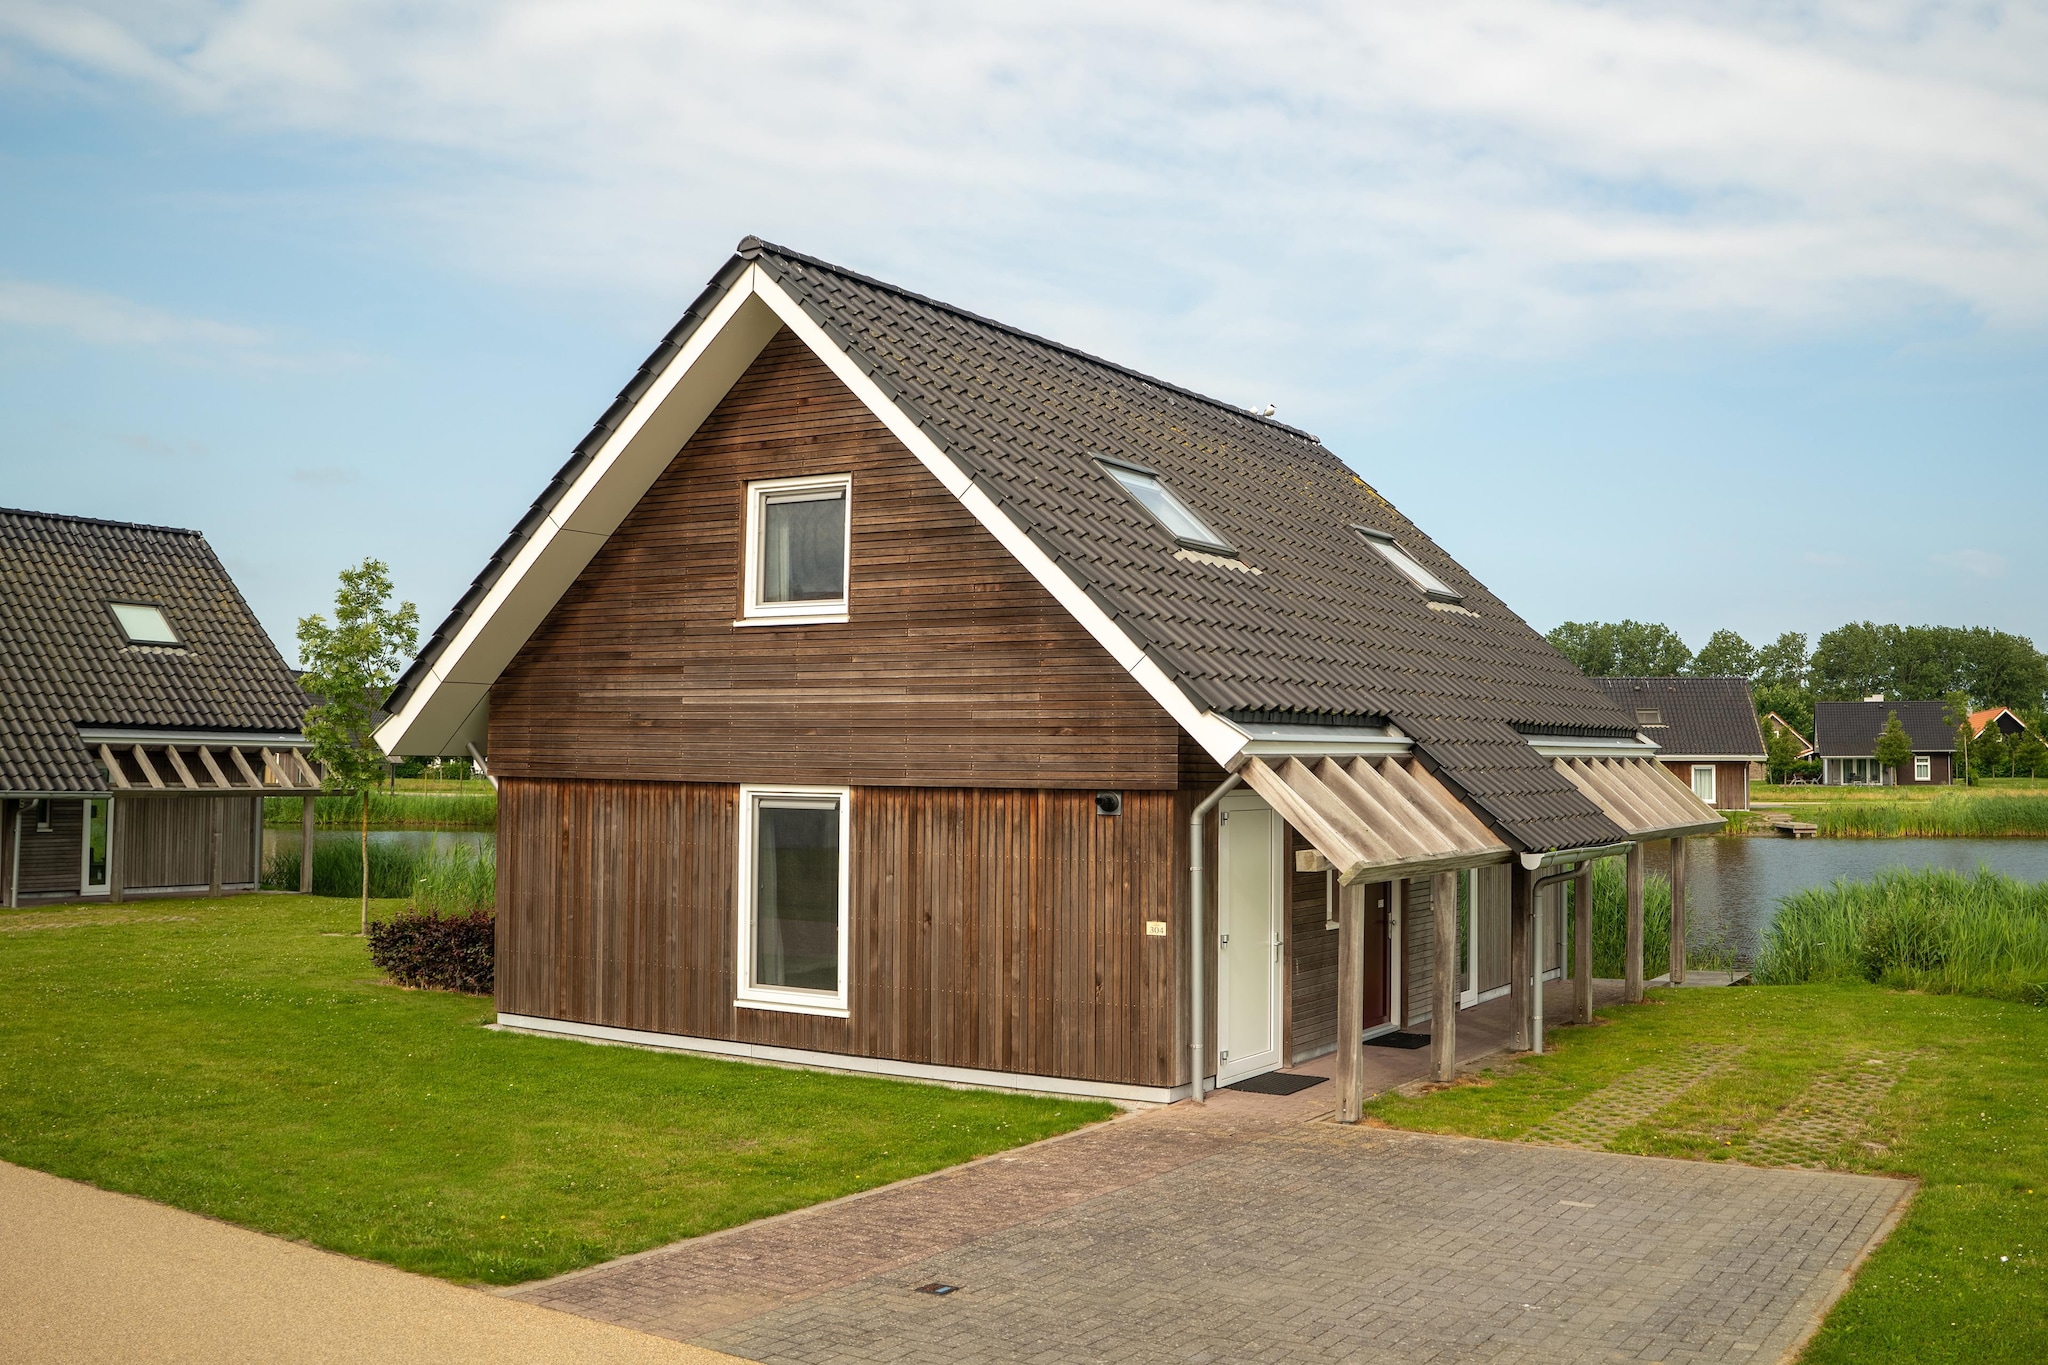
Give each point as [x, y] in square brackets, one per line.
[349, 670]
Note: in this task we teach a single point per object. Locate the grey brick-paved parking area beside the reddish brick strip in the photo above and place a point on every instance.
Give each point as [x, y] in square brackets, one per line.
[1322, 1243]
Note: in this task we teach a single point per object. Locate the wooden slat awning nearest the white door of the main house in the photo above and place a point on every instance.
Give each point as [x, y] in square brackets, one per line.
[1375, 818]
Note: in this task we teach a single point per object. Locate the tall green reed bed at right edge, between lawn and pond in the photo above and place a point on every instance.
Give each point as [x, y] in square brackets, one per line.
[1916, 930]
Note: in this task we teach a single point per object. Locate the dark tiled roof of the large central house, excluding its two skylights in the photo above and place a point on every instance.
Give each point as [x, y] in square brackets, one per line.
[1324, 629]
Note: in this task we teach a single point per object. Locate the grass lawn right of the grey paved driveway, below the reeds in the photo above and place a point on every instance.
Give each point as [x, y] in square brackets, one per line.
[1965, 1278]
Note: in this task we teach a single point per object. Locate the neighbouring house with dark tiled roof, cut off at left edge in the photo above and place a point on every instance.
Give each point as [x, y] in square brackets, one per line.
[146, 715]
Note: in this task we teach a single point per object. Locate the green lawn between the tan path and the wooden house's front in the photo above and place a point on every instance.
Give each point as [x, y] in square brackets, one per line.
[241, 1059]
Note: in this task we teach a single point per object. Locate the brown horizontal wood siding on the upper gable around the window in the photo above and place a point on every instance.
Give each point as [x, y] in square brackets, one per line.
[953, 670]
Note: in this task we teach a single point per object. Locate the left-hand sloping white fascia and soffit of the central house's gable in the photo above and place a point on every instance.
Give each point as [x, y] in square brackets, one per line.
[445, 709]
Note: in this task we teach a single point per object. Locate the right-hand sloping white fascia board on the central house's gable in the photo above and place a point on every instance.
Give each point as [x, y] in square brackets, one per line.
[1220, 738]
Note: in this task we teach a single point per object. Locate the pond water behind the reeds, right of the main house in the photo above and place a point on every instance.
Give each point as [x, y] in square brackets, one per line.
[1734, 885]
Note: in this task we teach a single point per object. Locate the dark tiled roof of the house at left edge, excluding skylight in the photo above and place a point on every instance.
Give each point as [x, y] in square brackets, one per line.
[67, 664]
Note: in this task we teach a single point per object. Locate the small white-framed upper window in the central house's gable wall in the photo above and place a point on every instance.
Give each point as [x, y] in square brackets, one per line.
[798, 549]
